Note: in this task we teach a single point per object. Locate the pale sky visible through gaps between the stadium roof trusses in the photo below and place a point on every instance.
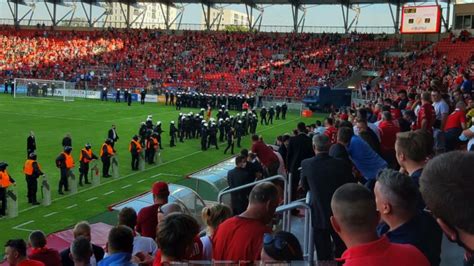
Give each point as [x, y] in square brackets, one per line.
[371, 15]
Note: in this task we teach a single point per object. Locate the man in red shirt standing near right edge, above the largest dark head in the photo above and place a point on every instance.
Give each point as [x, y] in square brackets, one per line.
[454, 126]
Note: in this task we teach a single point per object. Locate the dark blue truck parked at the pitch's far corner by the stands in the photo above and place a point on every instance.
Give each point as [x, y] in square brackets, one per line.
[325, 98]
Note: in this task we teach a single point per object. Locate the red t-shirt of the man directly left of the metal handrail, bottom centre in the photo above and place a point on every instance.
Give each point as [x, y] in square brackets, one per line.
[239, 239]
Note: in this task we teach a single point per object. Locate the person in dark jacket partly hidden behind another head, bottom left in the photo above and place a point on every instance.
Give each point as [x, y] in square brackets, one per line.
[82, 229]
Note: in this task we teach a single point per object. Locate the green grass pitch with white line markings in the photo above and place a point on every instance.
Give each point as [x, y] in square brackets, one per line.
[89, 121]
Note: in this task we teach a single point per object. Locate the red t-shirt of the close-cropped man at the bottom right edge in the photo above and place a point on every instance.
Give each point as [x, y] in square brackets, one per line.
[382, 252]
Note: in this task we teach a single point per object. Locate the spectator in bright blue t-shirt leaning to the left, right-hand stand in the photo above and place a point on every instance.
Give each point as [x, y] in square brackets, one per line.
[364, 158]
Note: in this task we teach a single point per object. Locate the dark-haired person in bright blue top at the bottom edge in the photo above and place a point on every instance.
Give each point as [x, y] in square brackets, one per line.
[120, 247]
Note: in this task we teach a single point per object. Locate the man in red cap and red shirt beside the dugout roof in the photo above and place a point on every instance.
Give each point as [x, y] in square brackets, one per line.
[147, 217]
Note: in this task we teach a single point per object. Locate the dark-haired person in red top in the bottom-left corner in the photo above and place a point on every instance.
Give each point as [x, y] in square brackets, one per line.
[15, 254]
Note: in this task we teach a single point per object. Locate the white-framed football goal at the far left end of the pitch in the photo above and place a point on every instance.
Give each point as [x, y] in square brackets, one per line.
[45, 89]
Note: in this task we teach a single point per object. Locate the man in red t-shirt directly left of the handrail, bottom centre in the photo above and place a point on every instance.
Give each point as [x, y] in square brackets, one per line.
[240, 237]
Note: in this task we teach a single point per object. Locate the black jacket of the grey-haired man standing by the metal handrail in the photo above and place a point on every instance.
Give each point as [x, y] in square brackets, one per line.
[321, 175]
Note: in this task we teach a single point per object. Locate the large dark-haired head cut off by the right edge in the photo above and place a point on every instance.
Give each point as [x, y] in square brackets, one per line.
[446, 186]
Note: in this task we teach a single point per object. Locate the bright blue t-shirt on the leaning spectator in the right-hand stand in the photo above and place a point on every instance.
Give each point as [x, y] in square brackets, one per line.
[367, 161]
